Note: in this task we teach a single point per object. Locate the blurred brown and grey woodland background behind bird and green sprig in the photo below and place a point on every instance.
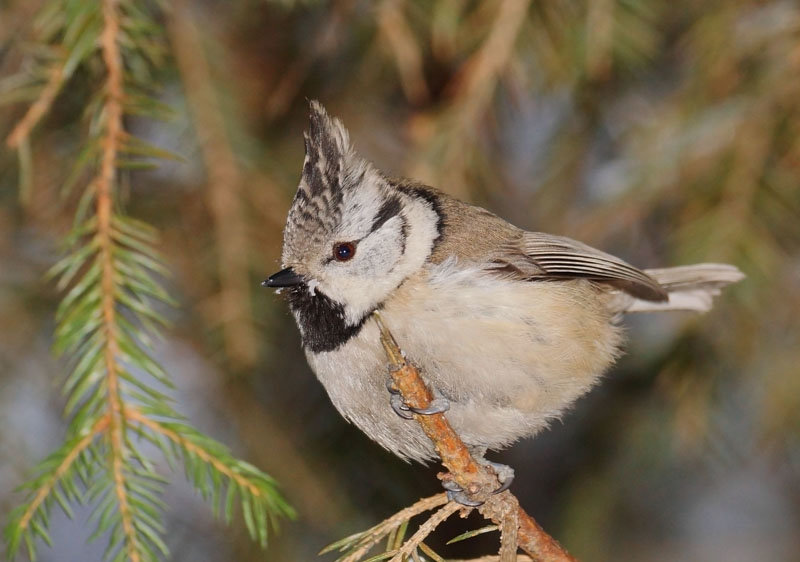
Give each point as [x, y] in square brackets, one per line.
[664, 132]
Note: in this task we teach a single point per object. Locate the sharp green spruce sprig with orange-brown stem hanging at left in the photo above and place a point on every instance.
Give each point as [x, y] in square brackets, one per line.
[109, 314]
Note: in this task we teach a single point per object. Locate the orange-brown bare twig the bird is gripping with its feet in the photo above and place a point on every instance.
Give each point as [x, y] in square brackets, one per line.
[472, 477]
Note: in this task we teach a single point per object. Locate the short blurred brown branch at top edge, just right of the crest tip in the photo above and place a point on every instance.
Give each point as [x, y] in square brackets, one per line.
[408, 58]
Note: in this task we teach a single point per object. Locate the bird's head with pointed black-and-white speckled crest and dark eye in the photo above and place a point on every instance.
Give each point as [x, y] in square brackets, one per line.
[352, 235]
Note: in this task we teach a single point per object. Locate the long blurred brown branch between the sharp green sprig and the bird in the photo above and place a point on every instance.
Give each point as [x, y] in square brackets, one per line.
[225, 184]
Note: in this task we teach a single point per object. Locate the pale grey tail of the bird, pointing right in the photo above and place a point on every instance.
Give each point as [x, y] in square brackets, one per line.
[690, 287]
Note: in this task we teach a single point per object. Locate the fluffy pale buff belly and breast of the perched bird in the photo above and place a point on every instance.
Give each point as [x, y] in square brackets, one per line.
[509, 356]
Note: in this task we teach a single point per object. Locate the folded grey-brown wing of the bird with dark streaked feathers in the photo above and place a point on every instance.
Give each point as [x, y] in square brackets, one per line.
[539, 256]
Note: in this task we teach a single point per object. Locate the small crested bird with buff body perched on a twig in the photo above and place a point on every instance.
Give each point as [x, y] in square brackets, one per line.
[508, 327]
